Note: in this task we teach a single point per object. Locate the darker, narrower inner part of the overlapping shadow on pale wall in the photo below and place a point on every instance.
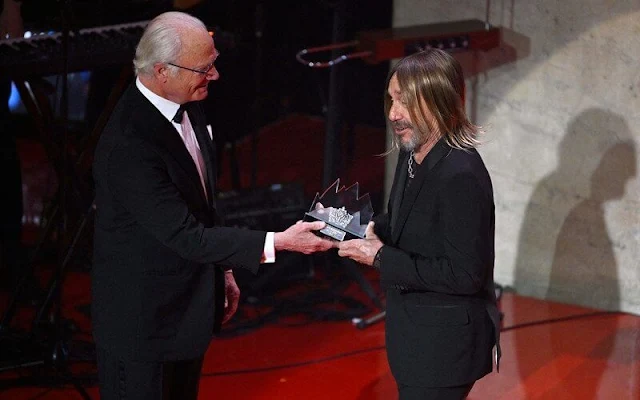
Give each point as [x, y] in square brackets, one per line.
[584, 269]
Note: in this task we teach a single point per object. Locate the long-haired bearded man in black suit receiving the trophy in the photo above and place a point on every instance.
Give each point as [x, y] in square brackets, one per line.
[435, 246]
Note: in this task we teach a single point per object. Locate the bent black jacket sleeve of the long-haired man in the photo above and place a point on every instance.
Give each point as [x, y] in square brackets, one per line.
[463, 260]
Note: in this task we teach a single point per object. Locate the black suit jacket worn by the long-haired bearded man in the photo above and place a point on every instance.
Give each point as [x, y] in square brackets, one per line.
[437, 269]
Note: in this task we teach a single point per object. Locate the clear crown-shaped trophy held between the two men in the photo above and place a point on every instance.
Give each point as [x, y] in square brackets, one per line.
[345, 213]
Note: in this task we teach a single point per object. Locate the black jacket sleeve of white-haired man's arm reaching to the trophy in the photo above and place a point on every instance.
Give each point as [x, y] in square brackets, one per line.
[139, 182]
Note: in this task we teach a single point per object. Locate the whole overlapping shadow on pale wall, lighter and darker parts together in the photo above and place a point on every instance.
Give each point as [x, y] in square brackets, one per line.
[564, 250]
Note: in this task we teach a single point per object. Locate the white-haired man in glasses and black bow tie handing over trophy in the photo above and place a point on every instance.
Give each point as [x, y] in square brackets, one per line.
[162, 280]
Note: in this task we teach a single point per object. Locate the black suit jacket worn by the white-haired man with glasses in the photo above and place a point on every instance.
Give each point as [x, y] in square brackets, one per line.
[157, 282]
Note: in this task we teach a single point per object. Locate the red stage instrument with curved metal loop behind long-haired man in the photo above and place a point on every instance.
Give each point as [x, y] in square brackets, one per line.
[381, 45]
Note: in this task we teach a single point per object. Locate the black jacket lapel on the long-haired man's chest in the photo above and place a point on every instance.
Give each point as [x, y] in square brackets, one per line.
[423, 174]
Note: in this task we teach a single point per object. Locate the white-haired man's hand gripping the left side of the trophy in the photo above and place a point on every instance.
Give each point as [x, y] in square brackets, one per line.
[300, 238]
